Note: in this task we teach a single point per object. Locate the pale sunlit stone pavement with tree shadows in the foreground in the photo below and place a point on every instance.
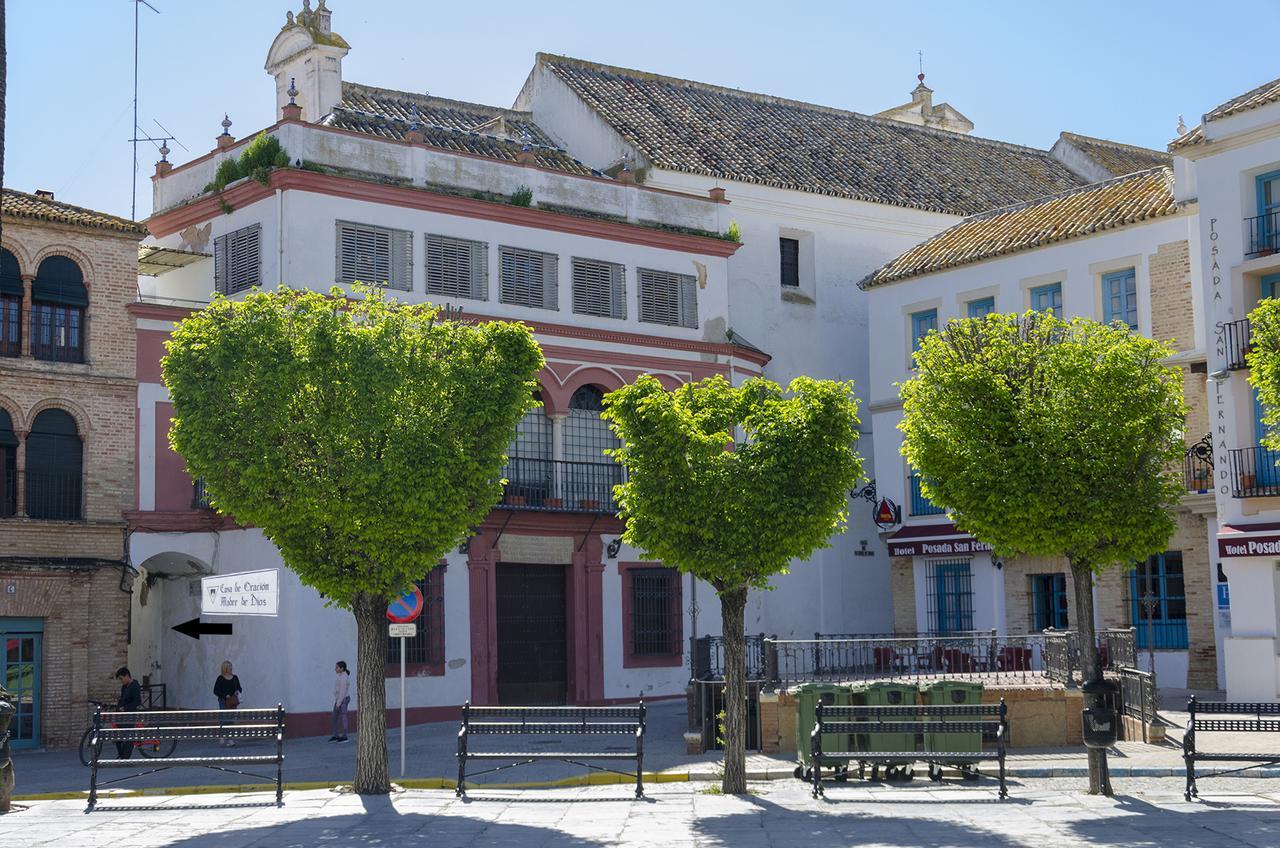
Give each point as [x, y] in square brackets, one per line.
[1040, 814]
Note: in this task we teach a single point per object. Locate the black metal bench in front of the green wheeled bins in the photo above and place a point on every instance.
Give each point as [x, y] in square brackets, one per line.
[989, 721]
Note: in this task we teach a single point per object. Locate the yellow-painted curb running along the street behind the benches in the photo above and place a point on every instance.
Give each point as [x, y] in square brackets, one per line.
[609, 779]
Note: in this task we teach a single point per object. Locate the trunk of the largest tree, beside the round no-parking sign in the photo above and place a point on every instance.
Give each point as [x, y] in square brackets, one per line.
[372, 776]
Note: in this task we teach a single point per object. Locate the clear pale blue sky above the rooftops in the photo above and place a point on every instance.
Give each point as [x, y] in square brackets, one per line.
[1021, 71]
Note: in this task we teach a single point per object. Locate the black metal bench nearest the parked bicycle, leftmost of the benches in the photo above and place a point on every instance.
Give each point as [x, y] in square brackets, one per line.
[190, 726]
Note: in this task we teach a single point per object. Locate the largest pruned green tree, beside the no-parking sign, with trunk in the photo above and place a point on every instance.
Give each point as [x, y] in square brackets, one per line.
[363, 436]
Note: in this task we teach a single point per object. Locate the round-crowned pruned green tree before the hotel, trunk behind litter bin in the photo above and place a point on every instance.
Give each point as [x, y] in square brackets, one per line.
[1050, 439]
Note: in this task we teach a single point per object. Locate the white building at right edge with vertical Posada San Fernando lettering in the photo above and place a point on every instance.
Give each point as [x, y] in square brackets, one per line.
[1232, 166]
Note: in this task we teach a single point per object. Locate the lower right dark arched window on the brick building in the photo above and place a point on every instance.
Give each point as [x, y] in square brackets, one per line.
[54, 463]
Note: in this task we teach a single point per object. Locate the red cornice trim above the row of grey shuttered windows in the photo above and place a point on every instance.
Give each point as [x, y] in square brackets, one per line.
[424, 200]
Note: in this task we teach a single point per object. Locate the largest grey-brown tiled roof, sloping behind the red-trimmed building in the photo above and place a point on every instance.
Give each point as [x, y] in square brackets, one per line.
[734, 135]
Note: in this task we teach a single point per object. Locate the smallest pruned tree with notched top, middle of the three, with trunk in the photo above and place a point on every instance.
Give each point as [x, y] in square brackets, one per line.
[732, 485]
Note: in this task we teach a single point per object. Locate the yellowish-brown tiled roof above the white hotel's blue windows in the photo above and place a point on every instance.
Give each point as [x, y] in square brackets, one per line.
[1084, 212]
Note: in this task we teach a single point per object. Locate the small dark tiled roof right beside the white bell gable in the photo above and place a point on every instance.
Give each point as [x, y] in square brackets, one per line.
[449, 125]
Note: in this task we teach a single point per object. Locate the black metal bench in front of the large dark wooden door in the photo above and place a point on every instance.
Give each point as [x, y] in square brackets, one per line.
[551, 722]
